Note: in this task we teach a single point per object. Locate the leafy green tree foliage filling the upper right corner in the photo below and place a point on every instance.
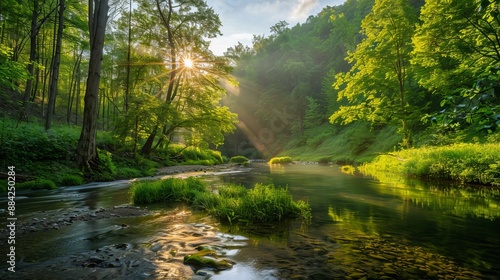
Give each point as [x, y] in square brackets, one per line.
[457, 54]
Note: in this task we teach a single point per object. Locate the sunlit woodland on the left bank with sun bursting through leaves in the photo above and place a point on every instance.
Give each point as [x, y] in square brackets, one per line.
[145, 98]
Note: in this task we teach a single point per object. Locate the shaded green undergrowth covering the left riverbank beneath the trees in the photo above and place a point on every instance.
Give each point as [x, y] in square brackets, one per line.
[46, 158]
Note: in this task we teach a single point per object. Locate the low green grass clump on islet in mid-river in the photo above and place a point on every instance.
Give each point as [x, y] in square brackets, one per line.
[230, 203]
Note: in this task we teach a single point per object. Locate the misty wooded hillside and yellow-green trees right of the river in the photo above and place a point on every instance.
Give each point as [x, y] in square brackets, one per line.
[397, 65]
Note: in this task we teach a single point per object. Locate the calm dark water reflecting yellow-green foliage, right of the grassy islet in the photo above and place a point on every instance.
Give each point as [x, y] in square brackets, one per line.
[442, 224]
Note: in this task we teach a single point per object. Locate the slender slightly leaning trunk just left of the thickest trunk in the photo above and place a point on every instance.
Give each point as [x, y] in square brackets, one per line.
[55, 68]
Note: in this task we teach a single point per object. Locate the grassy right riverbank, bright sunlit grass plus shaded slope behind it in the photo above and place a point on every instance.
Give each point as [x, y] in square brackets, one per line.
[465, 157]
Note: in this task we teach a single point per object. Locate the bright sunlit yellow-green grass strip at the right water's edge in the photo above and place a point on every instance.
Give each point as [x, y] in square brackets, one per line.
[467, 163]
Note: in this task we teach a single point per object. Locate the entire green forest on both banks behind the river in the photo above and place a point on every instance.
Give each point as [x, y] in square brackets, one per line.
[109, 90]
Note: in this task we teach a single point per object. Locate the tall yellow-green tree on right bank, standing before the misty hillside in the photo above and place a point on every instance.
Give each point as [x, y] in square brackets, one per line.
[377, 86]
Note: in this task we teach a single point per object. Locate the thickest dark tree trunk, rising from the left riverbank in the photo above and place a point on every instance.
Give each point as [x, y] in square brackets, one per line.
[86, 151]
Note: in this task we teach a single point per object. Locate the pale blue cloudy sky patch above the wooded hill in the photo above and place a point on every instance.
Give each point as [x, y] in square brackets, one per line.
[241, 19]
